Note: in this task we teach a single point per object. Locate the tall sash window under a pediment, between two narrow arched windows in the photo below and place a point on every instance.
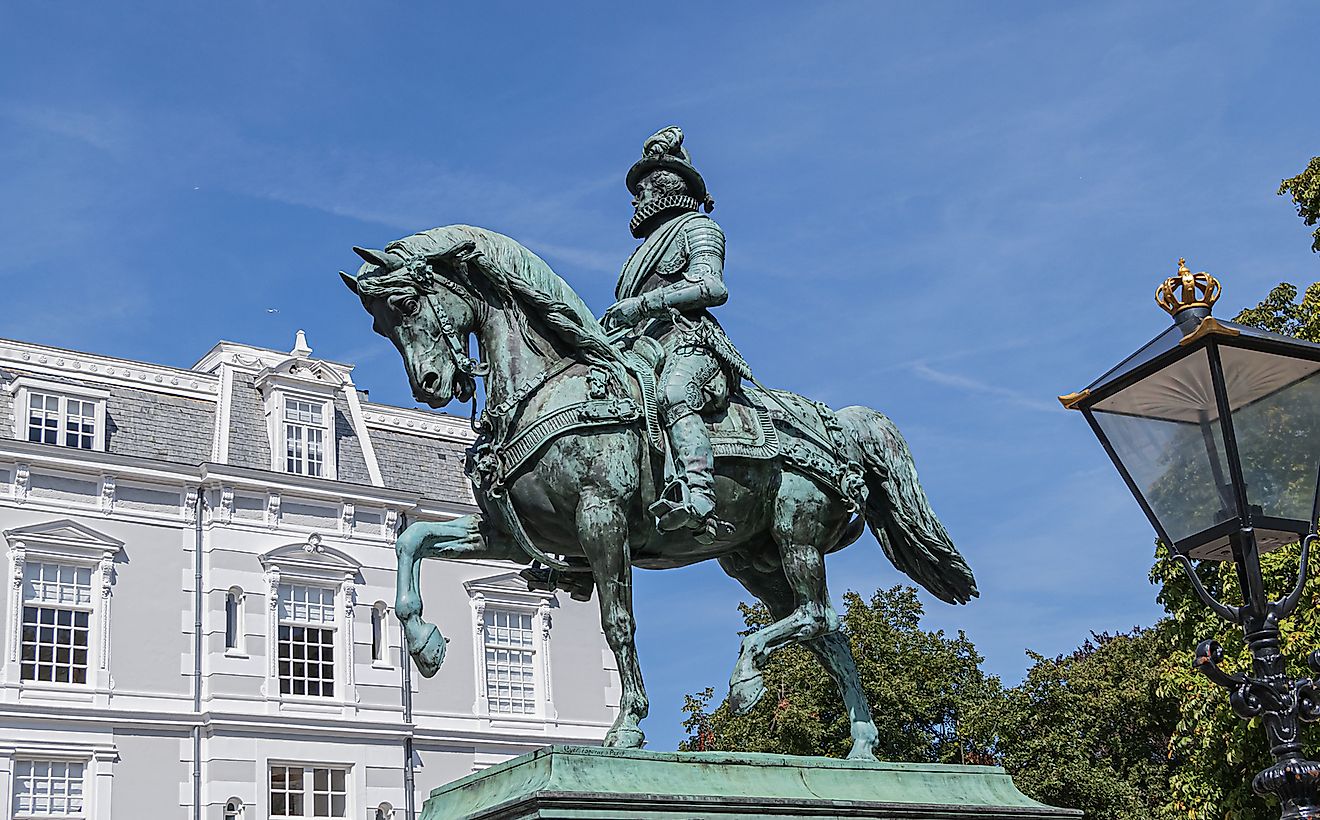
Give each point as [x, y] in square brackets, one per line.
[307, 638]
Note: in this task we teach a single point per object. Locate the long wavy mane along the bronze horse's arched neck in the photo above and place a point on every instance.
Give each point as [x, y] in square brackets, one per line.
[513, 270]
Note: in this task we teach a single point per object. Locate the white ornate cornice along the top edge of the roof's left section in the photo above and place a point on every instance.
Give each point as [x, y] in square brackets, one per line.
[108, 370]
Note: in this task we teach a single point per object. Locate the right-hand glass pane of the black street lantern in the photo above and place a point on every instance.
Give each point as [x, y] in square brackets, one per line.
[1276, 407]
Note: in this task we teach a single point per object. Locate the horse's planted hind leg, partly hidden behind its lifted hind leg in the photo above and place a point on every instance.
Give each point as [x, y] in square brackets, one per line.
[832, 649]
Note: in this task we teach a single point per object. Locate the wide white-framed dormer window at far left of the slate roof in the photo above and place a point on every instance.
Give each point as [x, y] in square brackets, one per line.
[65, 415]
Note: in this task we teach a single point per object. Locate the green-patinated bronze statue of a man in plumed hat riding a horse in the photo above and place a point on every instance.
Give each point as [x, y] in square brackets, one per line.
[643, 440]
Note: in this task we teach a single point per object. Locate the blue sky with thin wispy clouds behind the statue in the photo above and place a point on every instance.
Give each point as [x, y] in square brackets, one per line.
[948, 212]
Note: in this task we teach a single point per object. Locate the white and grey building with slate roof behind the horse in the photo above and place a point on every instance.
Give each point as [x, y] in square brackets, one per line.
[199, 620]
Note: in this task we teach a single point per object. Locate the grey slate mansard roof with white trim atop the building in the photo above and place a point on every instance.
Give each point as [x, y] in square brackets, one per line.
[220, 413]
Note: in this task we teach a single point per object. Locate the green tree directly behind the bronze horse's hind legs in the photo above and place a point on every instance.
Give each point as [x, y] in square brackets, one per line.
[926, 687]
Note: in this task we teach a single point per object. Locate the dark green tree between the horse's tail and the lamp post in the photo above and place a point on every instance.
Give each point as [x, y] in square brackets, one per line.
[1092, 730]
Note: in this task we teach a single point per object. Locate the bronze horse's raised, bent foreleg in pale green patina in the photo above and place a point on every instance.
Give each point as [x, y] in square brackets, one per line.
[460, 538]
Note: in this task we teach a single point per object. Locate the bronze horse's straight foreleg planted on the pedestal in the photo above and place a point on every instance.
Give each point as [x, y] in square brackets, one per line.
[604, 533]
